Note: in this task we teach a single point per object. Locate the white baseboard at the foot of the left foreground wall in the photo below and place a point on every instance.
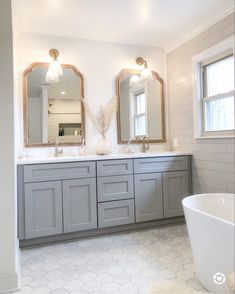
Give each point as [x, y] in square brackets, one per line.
[9, 282]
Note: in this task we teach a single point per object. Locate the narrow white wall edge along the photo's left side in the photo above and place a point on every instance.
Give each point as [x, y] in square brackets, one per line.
[8, 241]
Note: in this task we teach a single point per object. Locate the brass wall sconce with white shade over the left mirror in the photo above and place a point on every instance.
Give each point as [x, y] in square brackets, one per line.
[55, 68]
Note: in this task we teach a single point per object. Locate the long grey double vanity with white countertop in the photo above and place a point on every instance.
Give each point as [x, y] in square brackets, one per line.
[65, 198]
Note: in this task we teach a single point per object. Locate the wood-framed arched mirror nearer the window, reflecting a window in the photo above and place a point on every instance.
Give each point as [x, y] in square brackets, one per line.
[141, 107]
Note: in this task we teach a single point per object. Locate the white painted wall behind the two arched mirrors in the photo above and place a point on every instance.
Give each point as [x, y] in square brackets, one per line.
[99, 63]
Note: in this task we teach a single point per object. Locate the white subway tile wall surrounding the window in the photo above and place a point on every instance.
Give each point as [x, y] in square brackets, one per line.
[213, 159]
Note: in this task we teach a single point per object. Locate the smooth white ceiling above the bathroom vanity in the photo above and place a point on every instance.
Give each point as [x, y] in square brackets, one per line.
[158, 23]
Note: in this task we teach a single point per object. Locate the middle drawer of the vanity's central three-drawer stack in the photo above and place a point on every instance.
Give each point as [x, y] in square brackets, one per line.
[115, 188]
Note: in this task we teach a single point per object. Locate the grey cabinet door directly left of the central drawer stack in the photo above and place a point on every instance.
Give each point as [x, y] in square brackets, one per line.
[79, 205]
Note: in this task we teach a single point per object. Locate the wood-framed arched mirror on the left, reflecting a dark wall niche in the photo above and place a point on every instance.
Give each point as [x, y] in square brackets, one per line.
[53, 112]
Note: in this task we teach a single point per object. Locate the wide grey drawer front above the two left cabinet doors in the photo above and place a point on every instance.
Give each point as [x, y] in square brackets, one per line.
[58, 171]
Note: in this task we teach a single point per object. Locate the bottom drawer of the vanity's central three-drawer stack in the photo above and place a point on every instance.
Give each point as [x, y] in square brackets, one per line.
[116, 213]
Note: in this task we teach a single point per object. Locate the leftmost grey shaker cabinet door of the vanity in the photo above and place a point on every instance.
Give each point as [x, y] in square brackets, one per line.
[43, 209]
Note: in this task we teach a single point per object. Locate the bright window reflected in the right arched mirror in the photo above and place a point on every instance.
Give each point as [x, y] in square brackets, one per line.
[140, 114]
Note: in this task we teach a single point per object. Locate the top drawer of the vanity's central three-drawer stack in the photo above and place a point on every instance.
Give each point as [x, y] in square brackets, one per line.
[114, 167]
